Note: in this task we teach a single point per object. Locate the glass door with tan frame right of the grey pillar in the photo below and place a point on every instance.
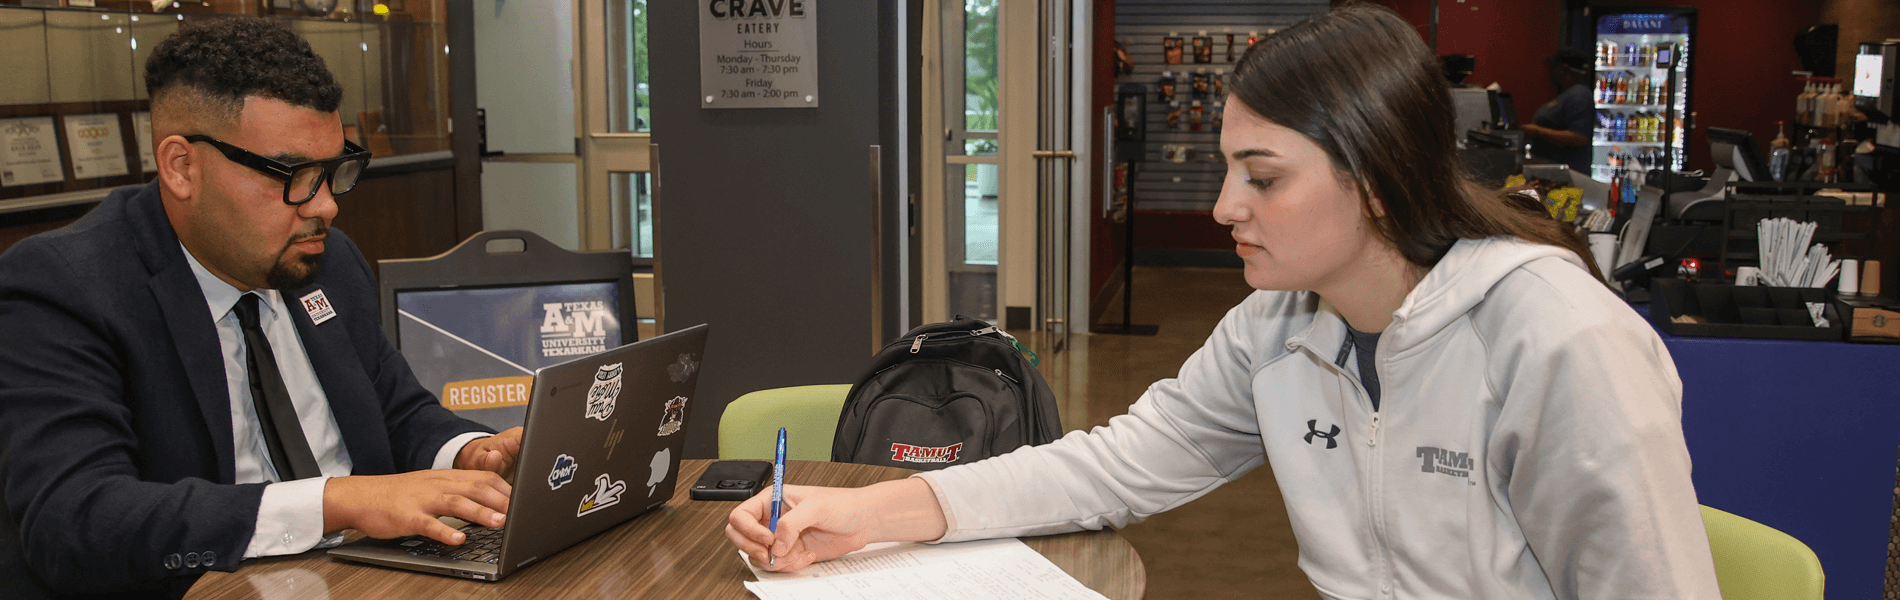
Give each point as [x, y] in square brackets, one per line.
[1000, 187]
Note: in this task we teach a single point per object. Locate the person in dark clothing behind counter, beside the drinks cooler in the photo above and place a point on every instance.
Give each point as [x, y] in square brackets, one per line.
[1561, 130]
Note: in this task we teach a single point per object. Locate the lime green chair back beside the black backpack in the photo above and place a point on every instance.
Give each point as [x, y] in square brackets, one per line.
[808, 415]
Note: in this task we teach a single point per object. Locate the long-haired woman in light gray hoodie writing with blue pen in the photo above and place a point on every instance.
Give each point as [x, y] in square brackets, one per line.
[1454, 405]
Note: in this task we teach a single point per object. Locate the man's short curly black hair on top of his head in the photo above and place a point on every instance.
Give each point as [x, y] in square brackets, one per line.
[235, 58]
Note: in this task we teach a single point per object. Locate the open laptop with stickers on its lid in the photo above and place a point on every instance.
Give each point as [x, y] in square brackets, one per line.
[601, 447]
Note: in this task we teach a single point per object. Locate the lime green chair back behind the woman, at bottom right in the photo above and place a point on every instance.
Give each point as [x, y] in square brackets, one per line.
[1760, 563]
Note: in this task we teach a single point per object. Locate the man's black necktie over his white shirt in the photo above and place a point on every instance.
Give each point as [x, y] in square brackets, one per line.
[276, 417]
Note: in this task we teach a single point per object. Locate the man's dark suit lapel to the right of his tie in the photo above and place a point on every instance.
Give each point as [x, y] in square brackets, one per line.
[347, 386]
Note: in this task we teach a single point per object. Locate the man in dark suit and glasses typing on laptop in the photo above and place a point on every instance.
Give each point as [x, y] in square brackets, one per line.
[195, 373]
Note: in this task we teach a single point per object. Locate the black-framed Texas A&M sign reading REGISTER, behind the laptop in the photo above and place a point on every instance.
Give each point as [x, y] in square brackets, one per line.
[476, 322]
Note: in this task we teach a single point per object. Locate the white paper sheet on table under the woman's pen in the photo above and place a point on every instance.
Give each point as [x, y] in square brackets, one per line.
[991, 569]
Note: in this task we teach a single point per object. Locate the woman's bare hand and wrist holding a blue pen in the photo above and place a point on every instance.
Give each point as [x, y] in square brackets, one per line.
[827, 523]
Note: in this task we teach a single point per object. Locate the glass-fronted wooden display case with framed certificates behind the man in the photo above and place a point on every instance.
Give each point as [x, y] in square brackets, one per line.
[75, 117]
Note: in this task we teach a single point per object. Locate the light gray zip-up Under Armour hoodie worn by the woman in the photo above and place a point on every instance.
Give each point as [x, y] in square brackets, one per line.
[1529, 443]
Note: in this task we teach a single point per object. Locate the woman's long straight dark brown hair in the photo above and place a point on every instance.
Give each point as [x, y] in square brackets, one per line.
[1359, 83]
